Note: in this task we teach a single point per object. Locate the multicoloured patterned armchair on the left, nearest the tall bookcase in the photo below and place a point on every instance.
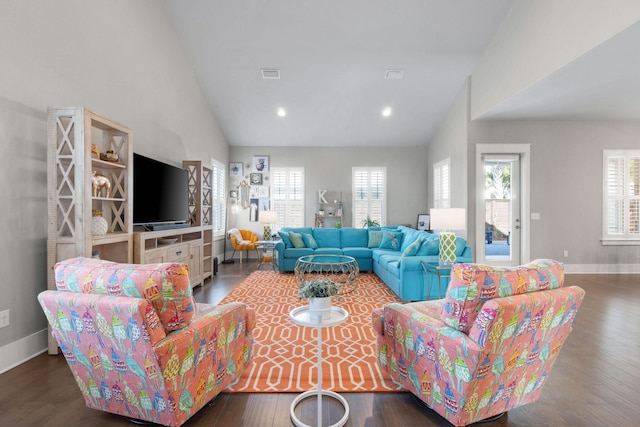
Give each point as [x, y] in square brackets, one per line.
[137, 343]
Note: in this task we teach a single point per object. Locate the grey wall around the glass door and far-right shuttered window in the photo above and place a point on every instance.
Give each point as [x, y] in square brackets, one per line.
[566, 187]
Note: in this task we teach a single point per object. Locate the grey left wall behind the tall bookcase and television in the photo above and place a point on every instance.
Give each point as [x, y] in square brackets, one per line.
[119, 58]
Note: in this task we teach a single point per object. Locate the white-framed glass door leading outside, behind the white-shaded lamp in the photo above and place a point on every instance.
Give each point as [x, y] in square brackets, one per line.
[502, 204]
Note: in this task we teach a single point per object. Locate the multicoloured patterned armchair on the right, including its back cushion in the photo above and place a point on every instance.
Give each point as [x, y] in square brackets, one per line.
[487, 347]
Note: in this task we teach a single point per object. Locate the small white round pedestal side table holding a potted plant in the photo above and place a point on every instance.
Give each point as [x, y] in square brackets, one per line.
[304, 317]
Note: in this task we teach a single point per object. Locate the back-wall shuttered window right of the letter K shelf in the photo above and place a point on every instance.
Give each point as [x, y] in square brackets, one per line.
[369, 195]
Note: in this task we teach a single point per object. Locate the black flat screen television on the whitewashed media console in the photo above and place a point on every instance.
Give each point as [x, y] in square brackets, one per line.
[160, 192]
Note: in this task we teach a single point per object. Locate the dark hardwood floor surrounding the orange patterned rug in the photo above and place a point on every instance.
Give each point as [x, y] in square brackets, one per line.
[595, 382]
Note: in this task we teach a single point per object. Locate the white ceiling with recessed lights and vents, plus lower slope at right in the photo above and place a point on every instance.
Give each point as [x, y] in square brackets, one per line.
[333, 55]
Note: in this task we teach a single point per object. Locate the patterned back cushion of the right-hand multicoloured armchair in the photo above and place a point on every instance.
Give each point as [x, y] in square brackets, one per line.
[473, 284]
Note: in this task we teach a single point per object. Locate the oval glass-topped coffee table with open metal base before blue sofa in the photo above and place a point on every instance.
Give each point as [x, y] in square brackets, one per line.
[342, 269]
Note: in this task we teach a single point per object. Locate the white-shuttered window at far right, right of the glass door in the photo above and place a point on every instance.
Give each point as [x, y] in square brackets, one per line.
[621, 193]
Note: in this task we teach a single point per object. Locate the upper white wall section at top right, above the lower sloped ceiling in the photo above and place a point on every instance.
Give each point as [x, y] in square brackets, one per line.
[539, 37]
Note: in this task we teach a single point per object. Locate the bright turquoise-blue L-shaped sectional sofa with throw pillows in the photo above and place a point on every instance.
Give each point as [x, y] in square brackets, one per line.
[393, 253]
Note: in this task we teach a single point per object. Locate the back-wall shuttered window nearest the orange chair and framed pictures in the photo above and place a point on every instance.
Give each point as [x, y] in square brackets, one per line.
[287, 195]
